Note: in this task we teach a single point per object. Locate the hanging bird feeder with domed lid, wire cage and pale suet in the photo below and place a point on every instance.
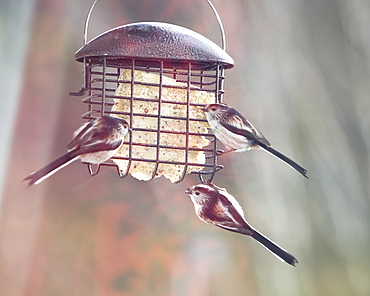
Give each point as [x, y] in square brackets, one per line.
[158, 77]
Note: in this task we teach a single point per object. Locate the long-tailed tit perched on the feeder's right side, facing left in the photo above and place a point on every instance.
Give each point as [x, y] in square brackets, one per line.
[238, 134]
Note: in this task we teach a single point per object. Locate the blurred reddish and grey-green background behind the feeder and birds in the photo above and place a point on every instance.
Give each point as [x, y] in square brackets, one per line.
[301, 76]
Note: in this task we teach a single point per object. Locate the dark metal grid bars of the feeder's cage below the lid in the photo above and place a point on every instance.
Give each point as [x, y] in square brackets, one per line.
[101, 97]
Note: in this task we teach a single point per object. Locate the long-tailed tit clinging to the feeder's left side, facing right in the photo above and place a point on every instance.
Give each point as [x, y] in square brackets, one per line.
[94, 142]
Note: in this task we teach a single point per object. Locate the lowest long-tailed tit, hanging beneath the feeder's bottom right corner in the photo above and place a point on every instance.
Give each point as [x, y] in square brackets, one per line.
[216, 206]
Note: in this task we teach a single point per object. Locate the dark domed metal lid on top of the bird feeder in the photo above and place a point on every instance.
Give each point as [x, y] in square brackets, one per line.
[155, 41]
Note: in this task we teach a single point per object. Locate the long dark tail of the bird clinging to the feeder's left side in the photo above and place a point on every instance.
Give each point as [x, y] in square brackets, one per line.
[50, 169]
